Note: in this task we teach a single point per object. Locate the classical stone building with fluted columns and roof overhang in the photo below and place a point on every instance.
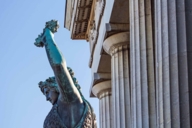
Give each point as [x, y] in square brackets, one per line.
[140, 57]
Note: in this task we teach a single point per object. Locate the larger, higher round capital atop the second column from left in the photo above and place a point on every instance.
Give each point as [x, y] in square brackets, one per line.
[116, 42]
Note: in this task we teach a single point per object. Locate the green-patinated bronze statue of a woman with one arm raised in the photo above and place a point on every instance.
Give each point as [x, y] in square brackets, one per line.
[70, 109]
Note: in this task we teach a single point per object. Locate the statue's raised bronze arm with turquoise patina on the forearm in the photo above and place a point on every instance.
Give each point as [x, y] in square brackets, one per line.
[68, 91]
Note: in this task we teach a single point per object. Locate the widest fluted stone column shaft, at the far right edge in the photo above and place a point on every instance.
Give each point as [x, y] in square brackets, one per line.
[173, 44]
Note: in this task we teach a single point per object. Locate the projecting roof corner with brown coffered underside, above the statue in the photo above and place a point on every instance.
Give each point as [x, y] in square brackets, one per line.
[77, 15]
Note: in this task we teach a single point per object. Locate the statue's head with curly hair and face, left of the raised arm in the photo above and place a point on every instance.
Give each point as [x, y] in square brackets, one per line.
[50, 89]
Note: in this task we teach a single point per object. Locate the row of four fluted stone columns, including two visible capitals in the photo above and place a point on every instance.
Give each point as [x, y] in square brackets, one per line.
[151, 68]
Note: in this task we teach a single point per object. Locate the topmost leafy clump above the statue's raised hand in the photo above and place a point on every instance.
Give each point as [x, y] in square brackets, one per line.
[53, 25]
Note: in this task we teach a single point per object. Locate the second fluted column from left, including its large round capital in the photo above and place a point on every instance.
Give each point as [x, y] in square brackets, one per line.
[117, 46]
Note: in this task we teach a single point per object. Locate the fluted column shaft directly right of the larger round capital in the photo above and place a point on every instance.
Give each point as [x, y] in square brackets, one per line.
[143, 105]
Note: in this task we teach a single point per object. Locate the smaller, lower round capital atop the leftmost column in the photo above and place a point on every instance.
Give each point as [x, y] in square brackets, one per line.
[102, 89]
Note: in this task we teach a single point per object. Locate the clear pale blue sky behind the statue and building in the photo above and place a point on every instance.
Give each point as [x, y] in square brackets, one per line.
[22, 65]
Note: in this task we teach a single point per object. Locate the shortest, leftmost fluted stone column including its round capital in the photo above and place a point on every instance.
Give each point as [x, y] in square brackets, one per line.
[103, 91]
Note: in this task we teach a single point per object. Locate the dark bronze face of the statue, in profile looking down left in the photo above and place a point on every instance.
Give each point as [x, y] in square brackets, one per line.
[50, 95]
